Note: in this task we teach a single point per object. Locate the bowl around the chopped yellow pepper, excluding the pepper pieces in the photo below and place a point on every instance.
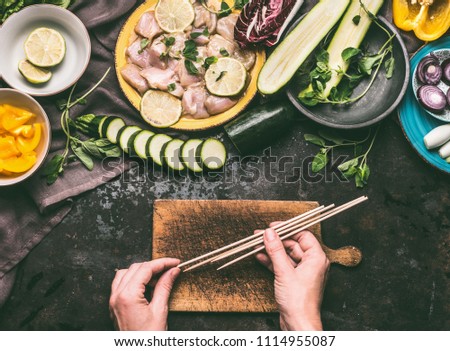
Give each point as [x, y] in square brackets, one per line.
[19, 99]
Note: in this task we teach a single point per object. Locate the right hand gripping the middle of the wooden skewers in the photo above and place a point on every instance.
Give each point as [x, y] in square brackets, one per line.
[300, 267]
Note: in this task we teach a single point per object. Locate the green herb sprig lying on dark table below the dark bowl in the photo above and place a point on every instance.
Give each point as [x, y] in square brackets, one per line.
[356, 168]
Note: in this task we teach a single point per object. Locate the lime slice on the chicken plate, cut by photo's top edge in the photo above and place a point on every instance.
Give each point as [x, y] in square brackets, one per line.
[174, 15]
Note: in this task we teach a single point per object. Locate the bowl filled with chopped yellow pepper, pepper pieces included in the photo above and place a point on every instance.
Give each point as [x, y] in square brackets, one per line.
[25, 136]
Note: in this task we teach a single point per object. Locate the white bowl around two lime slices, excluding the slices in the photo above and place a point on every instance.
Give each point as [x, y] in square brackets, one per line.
[14, 33]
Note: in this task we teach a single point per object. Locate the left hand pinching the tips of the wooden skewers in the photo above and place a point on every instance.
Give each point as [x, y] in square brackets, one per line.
[130, 309]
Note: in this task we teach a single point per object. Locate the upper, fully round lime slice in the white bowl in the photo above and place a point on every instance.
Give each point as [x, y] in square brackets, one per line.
[45, 47]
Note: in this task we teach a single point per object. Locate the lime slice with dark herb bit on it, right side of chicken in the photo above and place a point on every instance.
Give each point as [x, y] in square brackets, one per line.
[226, 77]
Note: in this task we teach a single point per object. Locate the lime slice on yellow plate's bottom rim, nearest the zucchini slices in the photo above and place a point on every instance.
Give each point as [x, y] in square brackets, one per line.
[160, 109]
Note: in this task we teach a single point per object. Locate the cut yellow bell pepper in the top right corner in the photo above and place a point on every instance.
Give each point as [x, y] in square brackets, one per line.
[429, 19]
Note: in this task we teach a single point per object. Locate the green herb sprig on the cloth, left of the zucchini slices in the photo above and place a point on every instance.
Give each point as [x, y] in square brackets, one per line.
[83, 150]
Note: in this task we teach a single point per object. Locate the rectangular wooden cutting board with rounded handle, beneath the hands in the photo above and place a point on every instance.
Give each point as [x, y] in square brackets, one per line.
[189, 228]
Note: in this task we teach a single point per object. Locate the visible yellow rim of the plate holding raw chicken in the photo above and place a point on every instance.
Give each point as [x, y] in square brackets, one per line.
[187, 124]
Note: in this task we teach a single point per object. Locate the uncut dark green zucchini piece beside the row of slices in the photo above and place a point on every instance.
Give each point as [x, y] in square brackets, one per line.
[261, 125]
